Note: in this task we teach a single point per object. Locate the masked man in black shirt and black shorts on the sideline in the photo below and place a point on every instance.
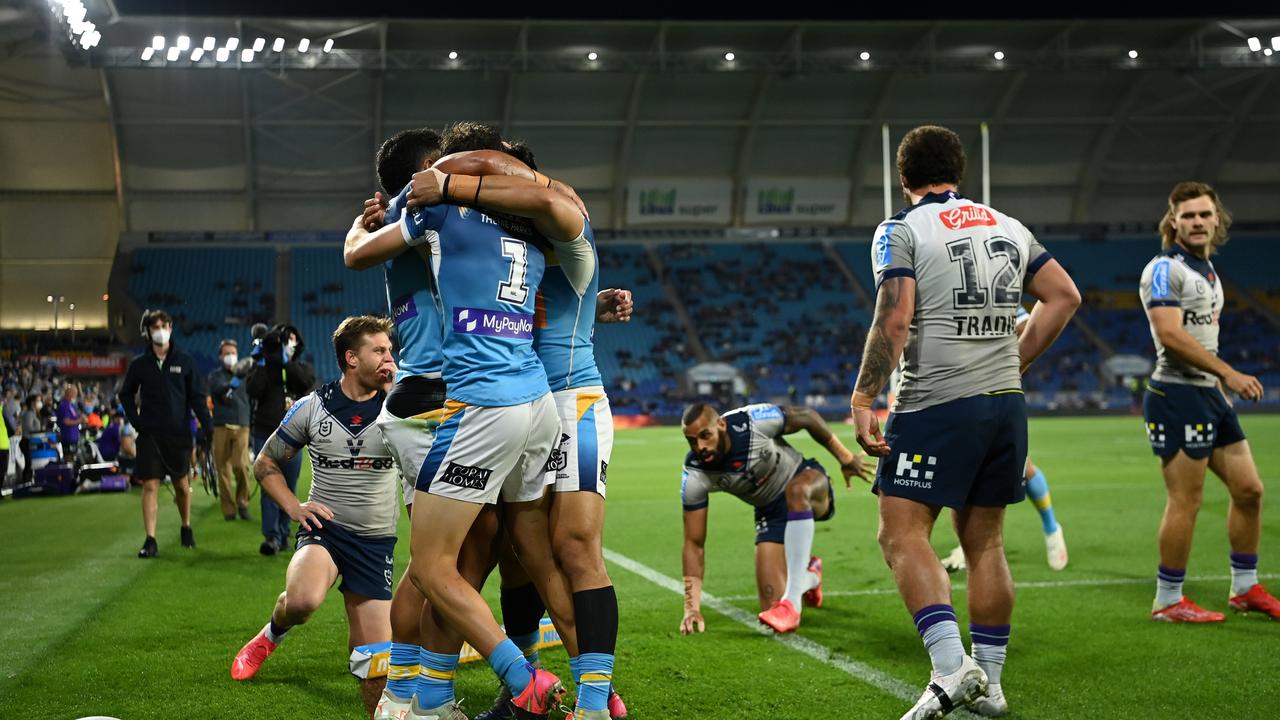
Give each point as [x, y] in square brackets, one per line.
[159, 391]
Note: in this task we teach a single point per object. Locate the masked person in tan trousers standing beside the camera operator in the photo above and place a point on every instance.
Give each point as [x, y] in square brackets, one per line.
[231, 431]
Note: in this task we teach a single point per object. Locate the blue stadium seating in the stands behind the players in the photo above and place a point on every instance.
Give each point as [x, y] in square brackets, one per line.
[643, 363]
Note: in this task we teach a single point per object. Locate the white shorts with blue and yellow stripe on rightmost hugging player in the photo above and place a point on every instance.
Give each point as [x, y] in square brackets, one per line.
[582, 458]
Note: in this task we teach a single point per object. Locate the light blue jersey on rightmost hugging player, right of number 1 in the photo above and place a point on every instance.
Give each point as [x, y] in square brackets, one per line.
[566, 321]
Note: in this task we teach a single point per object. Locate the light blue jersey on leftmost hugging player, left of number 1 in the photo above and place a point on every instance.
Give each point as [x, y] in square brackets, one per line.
[414, 307]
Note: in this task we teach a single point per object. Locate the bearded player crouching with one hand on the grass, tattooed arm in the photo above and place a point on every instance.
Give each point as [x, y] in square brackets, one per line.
[744, 454]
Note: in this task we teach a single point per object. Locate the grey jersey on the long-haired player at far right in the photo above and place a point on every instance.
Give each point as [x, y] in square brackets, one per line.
[1177, 279]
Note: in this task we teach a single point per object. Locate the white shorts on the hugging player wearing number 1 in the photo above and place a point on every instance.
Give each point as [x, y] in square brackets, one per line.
[484, 453]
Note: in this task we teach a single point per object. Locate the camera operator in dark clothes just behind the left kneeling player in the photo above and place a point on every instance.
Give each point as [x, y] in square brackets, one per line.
[278, 377]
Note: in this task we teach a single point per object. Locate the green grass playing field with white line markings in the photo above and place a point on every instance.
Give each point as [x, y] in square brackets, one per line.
[89, 630]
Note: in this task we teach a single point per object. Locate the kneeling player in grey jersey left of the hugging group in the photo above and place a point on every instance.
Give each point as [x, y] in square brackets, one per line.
[349, 522]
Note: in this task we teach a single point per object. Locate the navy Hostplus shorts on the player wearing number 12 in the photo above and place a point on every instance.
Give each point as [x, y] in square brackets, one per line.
[968, 452]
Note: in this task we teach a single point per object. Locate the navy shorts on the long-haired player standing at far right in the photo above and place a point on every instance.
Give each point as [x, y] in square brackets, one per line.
[1190, 418]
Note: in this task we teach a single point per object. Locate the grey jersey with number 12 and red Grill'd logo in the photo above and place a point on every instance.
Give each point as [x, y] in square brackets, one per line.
[970, 263]
